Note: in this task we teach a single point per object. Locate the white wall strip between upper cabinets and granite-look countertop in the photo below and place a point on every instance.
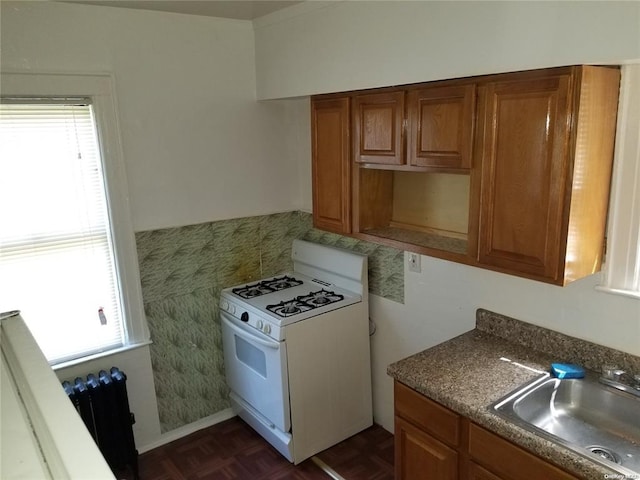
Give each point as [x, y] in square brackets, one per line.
[441, 301]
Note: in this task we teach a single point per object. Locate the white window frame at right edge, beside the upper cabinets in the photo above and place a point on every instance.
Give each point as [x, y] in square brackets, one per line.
[621, 273]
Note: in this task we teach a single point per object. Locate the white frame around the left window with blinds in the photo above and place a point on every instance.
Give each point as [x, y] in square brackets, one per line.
[100, 89]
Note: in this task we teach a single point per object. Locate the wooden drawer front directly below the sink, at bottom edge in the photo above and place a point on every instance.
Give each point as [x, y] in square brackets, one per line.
[508, 461]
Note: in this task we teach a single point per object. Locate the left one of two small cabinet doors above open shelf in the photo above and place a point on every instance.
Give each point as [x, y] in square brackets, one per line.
[378, 121]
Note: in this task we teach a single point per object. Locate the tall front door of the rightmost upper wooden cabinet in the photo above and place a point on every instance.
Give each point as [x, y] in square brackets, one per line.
[524, 131]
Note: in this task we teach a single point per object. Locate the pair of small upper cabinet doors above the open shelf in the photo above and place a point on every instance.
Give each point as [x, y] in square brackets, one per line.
[418, 127]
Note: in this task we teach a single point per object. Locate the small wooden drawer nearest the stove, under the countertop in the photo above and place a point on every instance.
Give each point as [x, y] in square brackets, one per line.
[428, 415]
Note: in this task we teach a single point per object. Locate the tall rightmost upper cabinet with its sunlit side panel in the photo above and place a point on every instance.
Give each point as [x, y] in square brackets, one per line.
[545, 144]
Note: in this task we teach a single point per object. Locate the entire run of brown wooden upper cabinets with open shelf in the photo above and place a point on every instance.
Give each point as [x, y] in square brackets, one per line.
[508, 172]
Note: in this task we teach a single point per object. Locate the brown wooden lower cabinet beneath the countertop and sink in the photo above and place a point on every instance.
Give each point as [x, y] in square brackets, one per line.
[434, 443]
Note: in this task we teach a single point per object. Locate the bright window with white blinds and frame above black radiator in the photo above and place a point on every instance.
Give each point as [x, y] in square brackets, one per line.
[66, 247]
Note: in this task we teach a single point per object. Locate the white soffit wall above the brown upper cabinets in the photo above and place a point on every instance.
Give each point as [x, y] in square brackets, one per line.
[320, 47]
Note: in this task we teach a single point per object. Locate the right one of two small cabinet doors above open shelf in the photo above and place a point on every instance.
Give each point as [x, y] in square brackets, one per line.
[441, 126]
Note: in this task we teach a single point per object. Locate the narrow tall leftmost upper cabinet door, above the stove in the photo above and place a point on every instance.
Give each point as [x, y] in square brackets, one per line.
[330, 124]
